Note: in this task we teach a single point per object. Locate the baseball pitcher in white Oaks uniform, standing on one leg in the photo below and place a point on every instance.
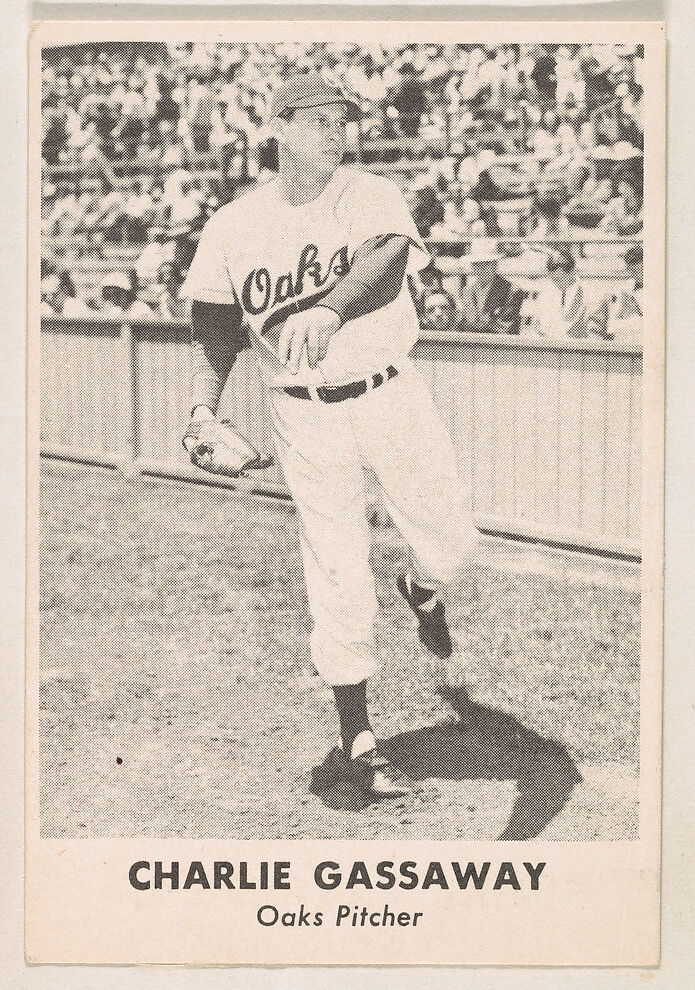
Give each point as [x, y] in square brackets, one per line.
[314, 262]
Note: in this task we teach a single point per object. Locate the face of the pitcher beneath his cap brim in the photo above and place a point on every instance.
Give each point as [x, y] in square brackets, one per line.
[316, 136]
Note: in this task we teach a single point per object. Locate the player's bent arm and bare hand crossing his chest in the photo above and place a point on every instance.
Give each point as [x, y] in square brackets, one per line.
[375, 280]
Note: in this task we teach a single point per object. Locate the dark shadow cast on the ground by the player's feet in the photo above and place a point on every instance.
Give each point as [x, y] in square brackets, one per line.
[482, 744]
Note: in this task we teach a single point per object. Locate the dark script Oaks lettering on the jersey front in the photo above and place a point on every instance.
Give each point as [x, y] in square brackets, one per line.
[262, 291]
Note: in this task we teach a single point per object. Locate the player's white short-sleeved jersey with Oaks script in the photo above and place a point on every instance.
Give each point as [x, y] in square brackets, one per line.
[275, 259]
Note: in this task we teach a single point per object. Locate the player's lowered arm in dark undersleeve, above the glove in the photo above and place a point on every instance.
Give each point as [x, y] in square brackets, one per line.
[217, 336]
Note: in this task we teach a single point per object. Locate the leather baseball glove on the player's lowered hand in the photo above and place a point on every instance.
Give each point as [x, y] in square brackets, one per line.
[215, 445]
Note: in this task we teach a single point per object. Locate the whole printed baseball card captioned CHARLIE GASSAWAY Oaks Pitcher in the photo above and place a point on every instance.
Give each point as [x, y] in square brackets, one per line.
[345, 493]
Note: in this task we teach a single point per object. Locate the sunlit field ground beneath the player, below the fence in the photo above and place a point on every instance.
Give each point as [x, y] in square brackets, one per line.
[178, 697]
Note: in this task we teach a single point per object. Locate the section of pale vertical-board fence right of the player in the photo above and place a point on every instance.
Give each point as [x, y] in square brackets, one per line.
[548, 433]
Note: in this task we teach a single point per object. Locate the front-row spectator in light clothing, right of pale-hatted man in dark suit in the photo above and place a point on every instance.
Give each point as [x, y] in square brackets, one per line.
[564, 308]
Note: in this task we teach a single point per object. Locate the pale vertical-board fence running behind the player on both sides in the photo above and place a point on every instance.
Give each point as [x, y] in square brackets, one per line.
[547, 433]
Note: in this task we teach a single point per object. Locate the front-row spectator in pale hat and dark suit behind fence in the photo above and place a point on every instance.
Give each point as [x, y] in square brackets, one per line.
[489, 302]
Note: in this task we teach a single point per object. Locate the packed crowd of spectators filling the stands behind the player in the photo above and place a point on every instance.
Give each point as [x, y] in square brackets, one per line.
[142, 142]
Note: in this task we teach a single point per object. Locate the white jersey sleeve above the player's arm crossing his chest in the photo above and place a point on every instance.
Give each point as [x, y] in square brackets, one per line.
[376, 208]
